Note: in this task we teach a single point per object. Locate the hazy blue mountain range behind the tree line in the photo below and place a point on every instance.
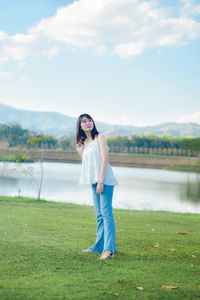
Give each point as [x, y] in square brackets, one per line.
[59, 124]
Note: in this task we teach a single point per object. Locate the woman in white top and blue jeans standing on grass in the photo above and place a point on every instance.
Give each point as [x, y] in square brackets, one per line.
[97, 172]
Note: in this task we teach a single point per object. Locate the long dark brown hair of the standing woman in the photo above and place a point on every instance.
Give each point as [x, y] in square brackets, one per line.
[80, 134]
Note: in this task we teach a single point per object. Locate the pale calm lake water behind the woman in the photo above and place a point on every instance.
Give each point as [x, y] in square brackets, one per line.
[139, 188]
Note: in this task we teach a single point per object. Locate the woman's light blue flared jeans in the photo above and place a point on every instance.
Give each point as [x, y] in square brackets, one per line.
[105, 239]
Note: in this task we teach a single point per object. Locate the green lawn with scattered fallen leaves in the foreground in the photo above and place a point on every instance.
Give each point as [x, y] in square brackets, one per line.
[41, 257]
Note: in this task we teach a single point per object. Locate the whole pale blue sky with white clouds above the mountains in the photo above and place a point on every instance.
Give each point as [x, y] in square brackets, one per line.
[122, 61]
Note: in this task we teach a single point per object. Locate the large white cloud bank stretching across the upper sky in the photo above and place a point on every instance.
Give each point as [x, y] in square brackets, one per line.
[122, 27]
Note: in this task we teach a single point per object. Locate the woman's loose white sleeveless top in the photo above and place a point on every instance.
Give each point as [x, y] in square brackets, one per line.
[91, 166]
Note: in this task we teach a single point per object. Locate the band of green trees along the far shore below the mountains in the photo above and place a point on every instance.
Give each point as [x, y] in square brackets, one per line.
[13, 135]
